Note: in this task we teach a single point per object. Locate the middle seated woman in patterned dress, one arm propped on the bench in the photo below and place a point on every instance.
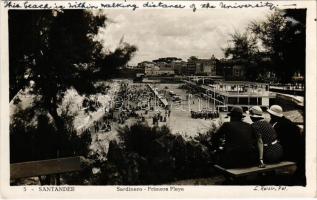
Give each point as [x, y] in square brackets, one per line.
[269, 148]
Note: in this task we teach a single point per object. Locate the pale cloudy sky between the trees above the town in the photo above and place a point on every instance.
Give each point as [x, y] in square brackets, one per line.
[175, 33]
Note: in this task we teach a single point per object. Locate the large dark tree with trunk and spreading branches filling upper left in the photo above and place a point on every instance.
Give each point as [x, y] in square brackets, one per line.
[58, 51]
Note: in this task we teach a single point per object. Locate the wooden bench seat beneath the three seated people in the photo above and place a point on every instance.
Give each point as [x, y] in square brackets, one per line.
[243, 172]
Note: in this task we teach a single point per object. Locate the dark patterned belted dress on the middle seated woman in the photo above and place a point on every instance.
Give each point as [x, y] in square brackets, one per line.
[272, 150]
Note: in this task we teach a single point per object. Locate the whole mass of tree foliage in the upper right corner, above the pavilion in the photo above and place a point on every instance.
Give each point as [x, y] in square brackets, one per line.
[275, 45]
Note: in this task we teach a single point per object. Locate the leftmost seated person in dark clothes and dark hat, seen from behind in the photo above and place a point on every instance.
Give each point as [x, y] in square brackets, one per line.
[235, 142]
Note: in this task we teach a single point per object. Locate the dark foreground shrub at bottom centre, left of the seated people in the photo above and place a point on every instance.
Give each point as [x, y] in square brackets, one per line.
[153, 155]
